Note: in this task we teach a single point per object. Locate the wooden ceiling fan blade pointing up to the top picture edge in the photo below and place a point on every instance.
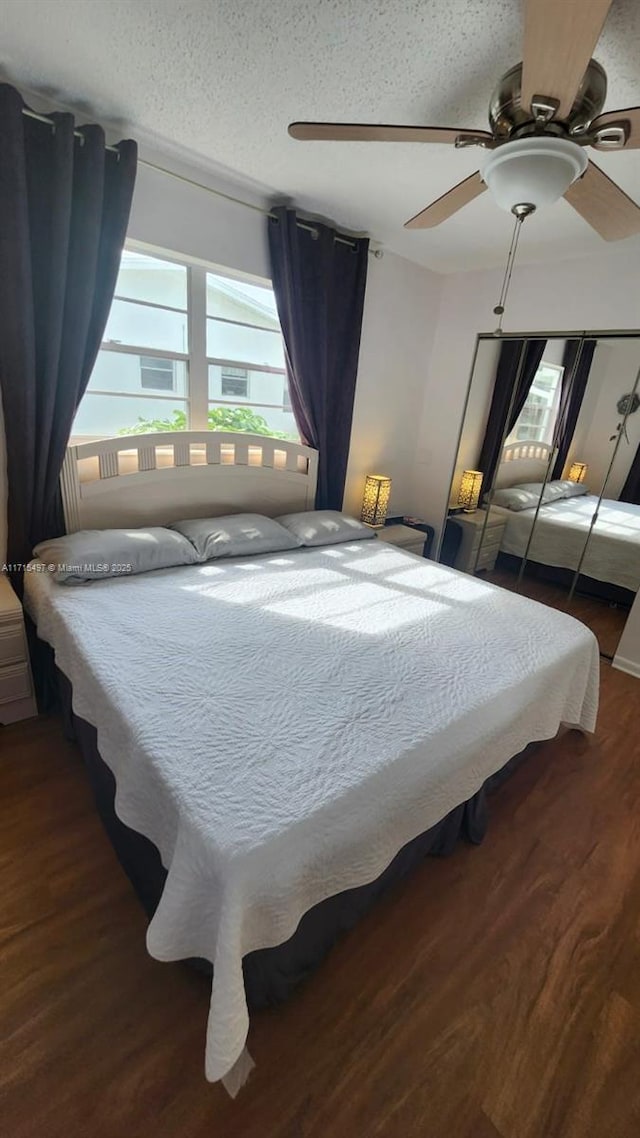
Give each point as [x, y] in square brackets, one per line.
[559, 44]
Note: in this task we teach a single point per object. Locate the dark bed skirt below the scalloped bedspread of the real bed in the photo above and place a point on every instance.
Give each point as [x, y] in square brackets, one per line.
[272, 975]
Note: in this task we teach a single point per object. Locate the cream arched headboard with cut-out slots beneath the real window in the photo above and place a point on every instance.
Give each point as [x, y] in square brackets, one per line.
[155, 480]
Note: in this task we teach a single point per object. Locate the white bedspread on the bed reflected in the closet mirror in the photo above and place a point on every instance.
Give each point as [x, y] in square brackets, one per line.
[561, 533]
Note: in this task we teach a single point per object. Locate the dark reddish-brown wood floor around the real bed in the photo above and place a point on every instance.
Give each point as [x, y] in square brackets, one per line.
[496, 994]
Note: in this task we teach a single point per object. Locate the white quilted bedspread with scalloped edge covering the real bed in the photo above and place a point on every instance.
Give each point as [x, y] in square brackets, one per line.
[281, 727]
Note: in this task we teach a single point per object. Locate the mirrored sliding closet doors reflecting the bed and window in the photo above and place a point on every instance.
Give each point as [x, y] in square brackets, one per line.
[545, 492]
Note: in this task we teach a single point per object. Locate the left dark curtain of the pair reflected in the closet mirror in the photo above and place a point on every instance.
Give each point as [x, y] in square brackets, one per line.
[518, 366]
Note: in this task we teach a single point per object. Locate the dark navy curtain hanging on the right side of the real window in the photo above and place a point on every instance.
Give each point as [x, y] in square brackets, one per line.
[319, 283]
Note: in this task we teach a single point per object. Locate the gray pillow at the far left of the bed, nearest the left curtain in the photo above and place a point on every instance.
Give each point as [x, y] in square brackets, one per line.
[93, 555]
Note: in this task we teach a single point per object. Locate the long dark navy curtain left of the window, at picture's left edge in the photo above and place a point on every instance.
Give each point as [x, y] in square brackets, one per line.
[64, 210]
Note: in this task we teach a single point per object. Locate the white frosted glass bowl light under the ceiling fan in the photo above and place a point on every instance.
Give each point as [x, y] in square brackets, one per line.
[537, 171]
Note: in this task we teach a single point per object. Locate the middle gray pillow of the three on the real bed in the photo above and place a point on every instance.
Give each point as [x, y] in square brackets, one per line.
[235, 535]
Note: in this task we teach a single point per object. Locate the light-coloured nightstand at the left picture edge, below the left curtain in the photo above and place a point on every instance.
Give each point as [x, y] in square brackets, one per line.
[17, 687]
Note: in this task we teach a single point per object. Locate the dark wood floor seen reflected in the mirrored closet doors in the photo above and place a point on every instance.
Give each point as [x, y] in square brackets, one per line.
[605, 621]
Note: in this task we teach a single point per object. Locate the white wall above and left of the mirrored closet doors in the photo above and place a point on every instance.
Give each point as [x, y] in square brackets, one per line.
[596, 293]
